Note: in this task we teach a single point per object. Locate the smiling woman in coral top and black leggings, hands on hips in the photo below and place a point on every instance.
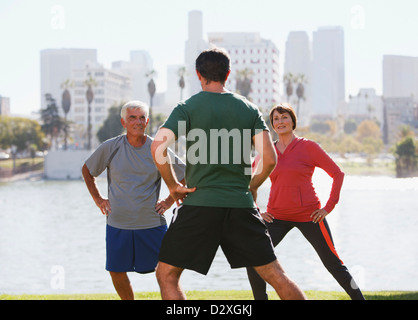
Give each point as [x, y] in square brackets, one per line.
[294, 203]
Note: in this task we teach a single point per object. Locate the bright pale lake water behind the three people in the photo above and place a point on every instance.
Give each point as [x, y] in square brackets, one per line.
[52, 240]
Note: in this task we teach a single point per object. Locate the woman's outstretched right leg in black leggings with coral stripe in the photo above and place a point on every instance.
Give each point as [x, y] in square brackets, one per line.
[319, 236]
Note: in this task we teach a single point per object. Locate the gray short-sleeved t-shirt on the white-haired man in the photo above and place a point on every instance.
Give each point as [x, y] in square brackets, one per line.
[134, 182]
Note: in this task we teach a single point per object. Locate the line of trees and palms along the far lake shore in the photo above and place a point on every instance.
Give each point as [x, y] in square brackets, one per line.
[360, 138]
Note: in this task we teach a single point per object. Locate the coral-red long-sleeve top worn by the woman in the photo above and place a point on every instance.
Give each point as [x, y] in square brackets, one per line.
[292, 194]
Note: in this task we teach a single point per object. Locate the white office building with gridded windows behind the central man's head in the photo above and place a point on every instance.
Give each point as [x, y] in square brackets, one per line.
[258, 58]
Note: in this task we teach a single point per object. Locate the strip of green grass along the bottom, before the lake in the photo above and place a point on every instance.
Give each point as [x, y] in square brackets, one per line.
[219, 295]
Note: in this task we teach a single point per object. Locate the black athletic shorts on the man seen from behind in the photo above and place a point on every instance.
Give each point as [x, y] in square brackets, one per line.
[196, 233]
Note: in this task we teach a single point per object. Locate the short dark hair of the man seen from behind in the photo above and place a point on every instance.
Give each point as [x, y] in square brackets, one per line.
[213, 64]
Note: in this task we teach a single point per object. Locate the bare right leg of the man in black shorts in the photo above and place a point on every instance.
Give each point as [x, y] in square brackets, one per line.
[274, 274]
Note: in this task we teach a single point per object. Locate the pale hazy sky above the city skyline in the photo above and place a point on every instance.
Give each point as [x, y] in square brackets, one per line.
[372, 28]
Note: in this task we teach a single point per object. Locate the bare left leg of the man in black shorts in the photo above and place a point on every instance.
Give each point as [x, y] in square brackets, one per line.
[168, 278]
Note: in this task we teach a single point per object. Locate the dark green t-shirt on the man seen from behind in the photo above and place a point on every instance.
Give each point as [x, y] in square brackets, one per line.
[219, 128]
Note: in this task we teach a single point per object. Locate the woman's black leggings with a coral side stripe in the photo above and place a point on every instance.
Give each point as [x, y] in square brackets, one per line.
[319, 236]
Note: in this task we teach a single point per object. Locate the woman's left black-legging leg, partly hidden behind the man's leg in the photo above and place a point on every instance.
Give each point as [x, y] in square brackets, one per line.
[277, 229]
